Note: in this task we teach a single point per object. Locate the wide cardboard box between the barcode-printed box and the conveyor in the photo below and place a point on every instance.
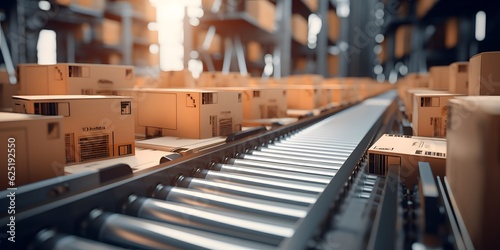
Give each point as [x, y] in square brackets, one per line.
[188, 113]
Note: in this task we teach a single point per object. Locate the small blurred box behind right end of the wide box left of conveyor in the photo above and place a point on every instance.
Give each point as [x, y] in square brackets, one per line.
[219, 79]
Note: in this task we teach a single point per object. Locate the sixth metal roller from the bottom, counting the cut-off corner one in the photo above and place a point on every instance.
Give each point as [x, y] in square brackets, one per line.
[294, 185]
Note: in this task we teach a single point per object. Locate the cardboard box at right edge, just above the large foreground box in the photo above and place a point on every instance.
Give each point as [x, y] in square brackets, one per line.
[484, 76]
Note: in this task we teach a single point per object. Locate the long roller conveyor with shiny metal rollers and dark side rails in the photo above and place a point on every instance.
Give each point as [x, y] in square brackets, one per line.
[273, 190]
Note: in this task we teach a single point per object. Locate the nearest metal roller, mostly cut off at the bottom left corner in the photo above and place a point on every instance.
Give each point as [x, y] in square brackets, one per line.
[52, 240]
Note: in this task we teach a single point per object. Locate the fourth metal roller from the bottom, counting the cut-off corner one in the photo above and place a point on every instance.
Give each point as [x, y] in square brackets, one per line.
[232, 202]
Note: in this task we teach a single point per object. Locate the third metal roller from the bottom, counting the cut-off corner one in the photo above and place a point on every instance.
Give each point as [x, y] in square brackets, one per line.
[234, 224]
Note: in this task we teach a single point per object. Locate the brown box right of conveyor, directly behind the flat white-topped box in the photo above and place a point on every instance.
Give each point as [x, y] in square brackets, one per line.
[430, 113]
